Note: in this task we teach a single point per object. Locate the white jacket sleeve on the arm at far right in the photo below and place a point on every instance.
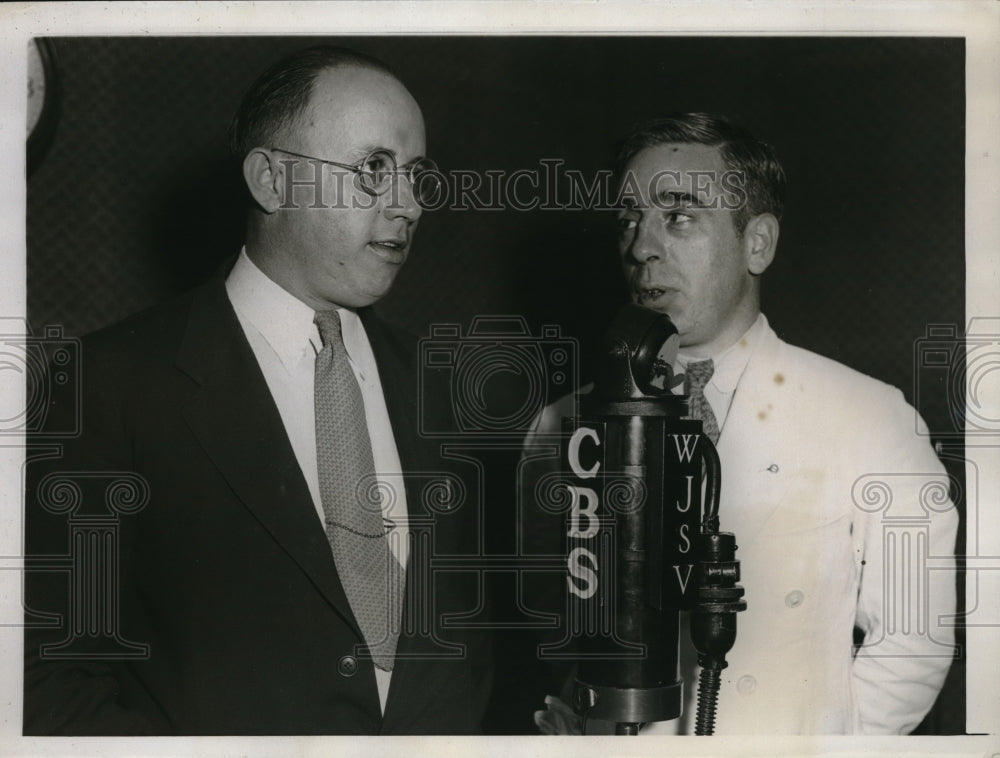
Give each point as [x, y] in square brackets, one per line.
[906, 604]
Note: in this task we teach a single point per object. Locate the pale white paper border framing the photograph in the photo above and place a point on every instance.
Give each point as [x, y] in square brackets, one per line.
[977, 22]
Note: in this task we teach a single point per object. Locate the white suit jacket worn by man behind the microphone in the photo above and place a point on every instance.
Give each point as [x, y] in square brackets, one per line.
[842, 517]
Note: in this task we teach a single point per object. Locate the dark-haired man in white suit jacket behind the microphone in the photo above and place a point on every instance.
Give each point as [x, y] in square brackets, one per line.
[840, 508]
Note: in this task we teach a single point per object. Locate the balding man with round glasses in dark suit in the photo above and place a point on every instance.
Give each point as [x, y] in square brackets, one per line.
[251, 582]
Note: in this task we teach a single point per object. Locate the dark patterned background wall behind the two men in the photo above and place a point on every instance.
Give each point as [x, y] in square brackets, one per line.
[136, 199]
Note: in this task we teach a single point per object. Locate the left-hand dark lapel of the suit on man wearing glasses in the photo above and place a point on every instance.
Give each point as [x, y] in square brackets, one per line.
[235, 419]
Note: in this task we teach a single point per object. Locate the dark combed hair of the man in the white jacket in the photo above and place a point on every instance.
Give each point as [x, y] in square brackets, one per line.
[756, 161]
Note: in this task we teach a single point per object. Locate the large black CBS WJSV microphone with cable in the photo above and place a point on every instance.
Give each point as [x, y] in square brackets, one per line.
[642, 548]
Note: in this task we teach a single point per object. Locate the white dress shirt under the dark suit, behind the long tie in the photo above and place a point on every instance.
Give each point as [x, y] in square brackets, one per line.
[285, 342]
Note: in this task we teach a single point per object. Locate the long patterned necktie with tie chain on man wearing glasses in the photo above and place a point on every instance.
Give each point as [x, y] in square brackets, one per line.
[369, 572]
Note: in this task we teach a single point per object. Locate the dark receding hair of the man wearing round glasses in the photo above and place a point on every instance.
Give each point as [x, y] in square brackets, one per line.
[281, 94]
